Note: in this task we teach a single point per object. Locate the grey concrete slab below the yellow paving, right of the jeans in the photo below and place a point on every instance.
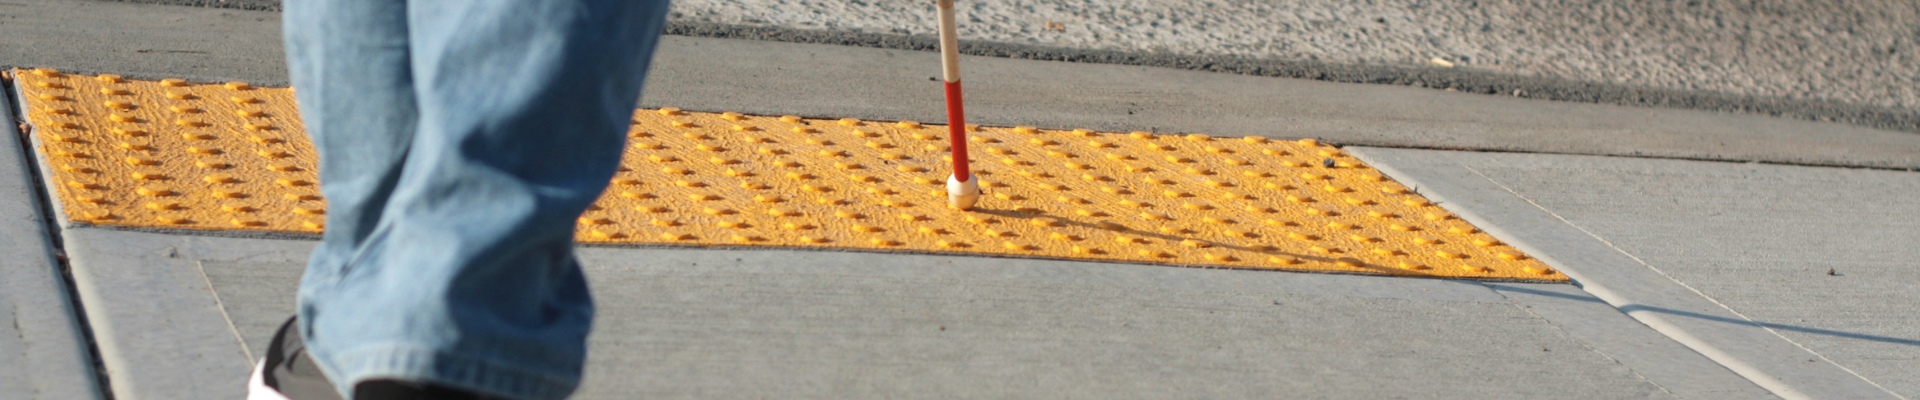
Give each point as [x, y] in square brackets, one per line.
[873, 326]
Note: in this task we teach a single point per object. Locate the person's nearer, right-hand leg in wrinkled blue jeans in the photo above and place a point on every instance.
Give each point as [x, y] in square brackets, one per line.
[469, 278]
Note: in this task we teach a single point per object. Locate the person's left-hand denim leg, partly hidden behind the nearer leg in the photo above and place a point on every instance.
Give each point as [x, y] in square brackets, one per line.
[354, 80]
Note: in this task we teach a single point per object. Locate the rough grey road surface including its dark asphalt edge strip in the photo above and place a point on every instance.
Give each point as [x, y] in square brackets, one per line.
[1852, 62]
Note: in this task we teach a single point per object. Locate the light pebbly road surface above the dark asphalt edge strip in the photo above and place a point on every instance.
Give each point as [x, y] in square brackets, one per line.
[1858, 53]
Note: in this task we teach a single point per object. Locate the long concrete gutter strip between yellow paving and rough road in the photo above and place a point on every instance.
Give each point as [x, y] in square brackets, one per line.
[871, 84]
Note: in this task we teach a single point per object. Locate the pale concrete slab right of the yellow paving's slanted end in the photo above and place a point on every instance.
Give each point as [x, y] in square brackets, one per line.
[1727, 259]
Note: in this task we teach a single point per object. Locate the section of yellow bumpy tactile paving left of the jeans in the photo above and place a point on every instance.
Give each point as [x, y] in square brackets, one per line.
[174, 155]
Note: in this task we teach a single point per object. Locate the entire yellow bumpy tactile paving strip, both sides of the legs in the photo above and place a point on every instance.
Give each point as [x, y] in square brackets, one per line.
[231, 157]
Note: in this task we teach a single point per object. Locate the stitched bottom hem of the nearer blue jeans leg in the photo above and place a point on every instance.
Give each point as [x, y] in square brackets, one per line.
[450, 370]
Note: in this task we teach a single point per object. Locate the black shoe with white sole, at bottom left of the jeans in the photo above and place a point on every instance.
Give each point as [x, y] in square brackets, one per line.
[287, 372]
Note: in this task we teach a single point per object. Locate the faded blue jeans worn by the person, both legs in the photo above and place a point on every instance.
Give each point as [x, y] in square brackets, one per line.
[460, 141]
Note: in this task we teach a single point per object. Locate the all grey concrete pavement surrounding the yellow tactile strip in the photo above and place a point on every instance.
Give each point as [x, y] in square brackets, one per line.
[1694, 280]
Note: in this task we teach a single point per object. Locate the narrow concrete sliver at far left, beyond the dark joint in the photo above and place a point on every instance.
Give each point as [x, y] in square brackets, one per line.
[43, 351]
